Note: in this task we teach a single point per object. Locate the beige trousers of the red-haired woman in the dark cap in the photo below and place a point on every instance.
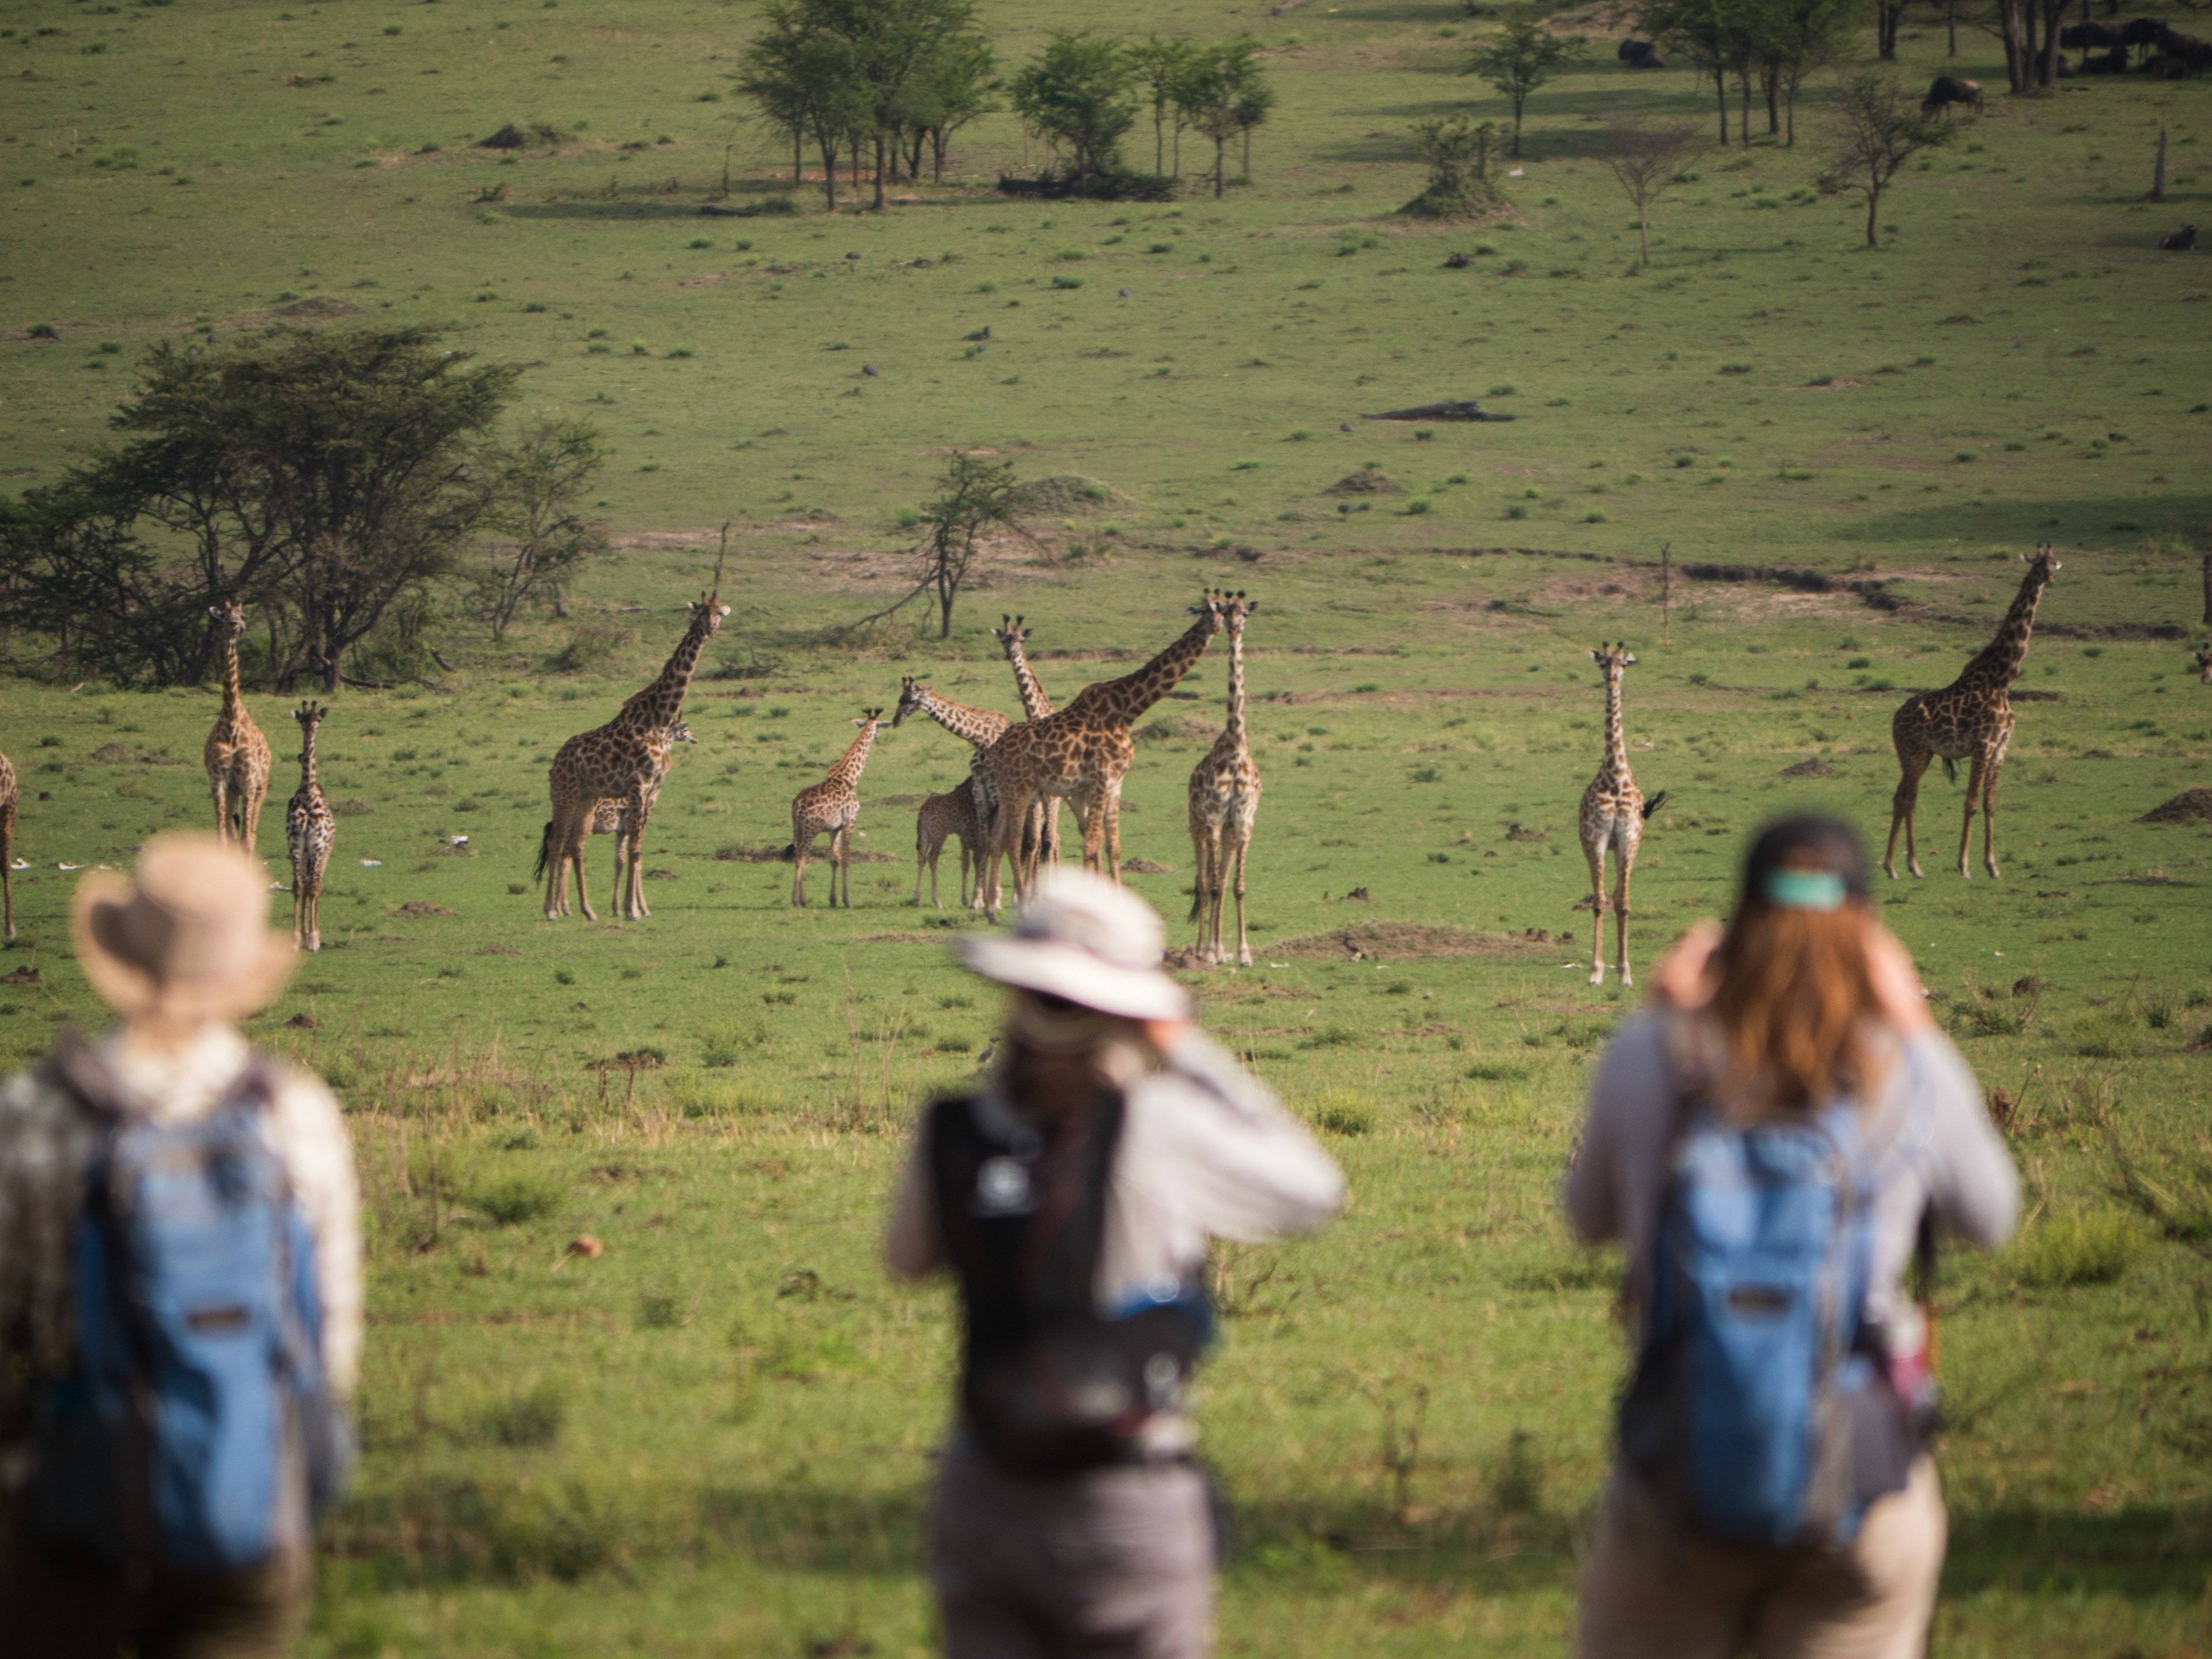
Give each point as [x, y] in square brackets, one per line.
[1651, 1592]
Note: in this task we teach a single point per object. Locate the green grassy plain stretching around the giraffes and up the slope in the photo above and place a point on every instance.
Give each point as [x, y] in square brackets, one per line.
[716, 1437]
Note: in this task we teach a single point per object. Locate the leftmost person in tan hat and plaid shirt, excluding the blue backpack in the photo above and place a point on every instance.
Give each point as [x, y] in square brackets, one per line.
[182, 950]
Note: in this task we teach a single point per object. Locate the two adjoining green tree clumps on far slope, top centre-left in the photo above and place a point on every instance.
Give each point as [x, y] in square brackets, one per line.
[877, 83]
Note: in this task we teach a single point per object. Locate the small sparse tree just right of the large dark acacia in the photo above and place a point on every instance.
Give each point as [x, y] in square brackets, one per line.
[534, 490]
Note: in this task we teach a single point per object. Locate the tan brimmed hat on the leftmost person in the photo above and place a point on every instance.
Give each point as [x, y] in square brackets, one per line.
[187, 937]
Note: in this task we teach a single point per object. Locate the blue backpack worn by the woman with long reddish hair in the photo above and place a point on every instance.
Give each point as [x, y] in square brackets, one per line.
[1762, 1406]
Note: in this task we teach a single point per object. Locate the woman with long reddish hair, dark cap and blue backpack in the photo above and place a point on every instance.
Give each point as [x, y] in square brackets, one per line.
[1775, 1142]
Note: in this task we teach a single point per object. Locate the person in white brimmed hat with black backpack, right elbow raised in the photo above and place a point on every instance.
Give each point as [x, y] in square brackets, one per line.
[1074, 1198]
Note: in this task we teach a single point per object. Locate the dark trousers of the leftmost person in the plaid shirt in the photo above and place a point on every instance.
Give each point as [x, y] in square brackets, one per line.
[72, 1607]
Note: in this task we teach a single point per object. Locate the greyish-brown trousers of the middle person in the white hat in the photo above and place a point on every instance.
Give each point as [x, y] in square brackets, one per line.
[1107, 1565]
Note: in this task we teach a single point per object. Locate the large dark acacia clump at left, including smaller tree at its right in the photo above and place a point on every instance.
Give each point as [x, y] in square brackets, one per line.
[335, 483]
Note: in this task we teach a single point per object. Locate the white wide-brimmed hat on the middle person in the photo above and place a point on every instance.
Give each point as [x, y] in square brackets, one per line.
[1087, 941]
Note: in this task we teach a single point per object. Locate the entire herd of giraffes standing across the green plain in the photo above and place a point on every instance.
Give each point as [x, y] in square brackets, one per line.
[1008, 811]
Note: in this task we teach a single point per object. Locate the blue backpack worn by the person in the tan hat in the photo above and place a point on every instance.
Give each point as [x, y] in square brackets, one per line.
[196, 1428]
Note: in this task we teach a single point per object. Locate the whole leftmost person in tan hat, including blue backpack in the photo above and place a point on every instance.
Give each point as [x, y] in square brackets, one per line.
[180, 1291]
